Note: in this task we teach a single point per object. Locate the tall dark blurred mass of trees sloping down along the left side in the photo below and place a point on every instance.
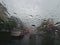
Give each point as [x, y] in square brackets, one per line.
[7, 22]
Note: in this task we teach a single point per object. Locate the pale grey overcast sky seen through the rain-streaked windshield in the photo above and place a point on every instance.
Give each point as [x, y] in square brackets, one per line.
[38, 8]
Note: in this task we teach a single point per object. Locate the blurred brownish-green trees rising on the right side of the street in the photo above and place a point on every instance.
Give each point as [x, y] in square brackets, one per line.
[45, 23]
